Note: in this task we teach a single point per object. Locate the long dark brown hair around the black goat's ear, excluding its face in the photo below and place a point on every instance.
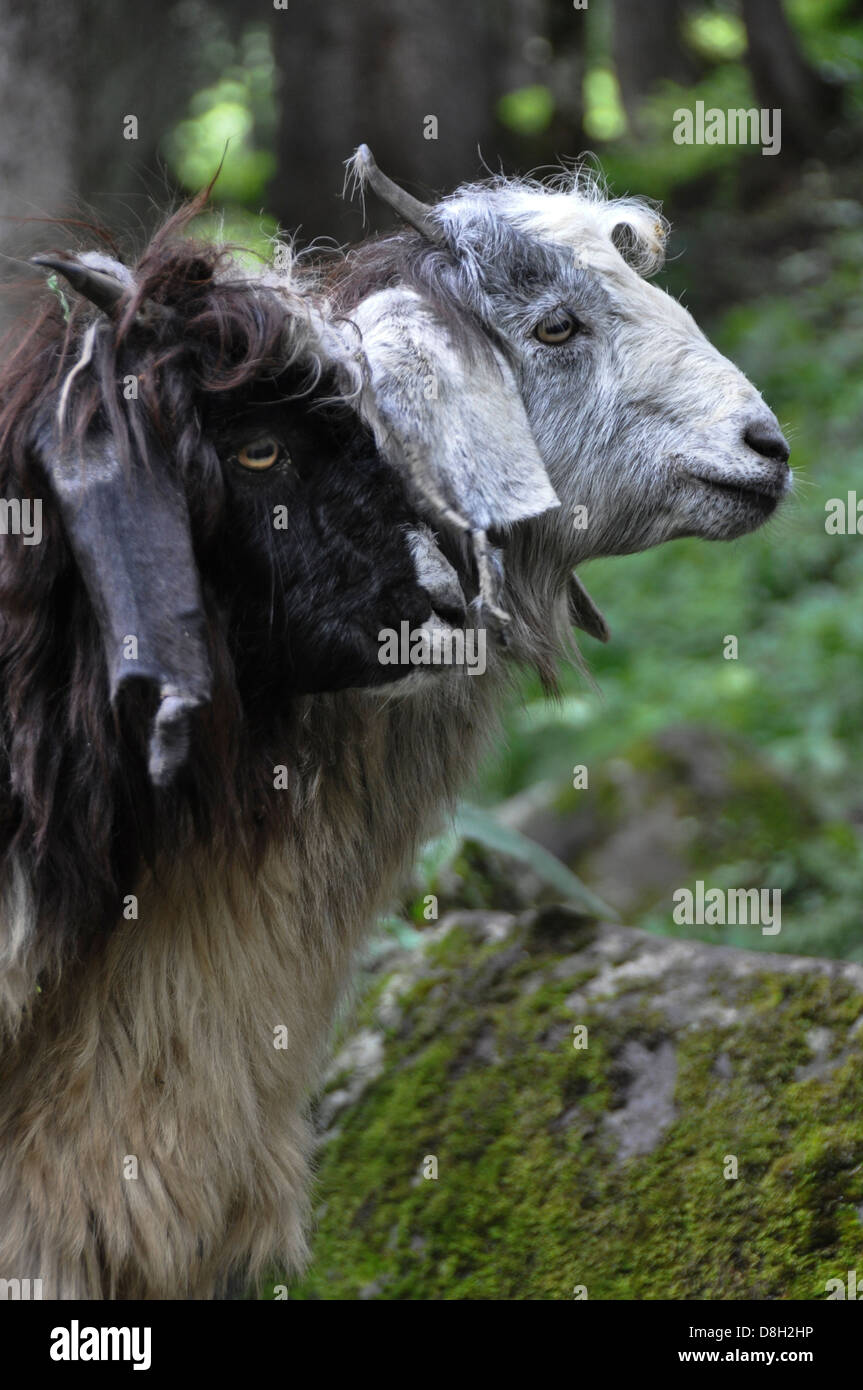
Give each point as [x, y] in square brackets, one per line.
[77, 807]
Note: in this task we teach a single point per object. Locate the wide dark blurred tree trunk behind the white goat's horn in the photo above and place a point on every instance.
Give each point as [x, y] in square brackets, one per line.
[416, 80]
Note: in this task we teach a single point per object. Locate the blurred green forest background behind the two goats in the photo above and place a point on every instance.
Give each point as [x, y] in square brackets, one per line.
[741, 774]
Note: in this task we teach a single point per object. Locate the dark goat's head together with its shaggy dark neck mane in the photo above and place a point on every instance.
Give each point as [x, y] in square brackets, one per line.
[220, 537]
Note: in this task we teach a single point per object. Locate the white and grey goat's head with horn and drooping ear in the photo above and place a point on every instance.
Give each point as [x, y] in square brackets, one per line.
[626, 409]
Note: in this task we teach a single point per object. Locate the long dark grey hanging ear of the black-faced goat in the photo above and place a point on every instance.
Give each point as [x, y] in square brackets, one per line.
[129, 528]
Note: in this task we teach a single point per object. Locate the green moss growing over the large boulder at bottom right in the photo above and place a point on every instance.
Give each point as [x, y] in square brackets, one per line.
[530, 1199]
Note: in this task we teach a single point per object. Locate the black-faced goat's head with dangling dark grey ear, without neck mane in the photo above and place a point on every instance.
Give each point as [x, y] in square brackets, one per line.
[197, 445]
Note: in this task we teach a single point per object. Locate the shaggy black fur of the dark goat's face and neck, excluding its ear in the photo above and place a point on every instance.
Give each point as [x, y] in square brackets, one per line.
[286, 611]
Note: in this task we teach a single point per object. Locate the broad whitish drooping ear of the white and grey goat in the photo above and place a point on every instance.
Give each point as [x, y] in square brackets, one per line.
[451, 419]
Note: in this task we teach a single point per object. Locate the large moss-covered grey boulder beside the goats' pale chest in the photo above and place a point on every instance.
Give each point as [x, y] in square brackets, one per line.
[608, 1167]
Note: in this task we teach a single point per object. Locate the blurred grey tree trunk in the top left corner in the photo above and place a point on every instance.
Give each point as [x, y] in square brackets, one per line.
[69, 85]
